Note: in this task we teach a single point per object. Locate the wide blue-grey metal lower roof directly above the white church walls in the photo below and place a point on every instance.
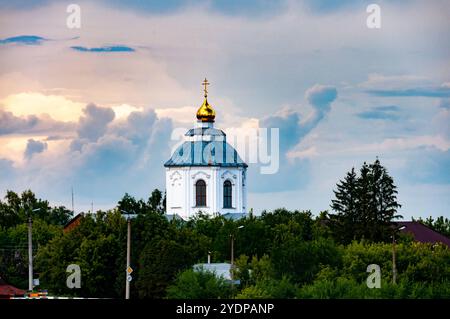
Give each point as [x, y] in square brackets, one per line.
[205, 153]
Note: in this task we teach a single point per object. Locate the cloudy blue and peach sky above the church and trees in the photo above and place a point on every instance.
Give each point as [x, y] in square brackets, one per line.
[94, 108]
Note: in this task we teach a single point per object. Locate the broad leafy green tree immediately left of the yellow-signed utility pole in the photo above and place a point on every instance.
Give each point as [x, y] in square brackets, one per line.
[97, 245]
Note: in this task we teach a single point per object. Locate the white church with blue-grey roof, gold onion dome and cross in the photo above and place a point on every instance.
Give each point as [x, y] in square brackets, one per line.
[205, 174]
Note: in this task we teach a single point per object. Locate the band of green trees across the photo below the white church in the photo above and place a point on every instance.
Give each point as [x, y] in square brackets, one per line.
[279, 254]
